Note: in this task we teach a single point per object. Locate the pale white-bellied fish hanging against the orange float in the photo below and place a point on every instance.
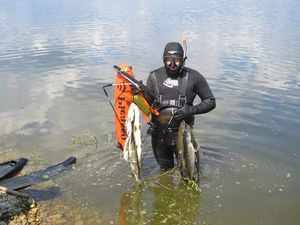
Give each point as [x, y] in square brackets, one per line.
[133, 145]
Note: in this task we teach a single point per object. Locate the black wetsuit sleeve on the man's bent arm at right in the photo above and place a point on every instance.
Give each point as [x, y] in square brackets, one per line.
[208, 101]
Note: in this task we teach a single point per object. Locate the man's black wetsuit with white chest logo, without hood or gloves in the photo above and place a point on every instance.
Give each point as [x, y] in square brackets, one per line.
[168, 89]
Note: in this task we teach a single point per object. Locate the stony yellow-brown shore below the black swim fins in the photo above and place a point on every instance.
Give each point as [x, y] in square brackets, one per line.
[24, 211]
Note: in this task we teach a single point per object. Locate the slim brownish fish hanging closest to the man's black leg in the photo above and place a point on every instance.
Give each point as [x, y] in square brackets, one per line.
[180, 149]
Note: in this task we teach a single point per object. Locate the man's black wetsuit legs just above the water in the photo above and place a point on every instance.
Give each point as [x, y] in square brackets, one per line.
[164, 154]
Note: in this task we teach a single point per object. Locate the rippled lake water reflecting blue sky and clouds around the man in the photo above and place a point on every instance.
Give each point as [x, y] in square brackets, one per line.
[55, 57]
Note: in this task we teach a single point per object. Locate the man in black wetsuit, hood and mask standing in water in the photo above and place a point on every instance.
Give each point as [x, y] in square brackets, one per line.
[176, 87]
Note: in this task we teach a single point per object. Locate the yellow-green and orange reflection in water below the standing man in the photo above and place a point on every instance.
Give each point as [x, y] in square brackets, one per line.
[162, 201]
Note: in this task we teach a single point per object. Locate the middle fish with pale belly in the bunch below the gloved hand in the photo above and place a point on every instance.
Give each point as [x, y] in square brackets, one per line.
[191, 155]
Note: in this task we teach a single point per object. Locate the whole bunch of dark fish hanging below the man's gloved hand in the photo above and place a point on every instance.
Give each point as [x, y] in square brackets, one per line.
[188, 152]
